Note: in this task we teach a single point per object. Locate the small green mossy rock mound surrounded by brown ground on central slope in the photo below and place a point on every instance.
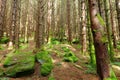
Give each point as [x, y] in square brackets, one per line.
[69, 56]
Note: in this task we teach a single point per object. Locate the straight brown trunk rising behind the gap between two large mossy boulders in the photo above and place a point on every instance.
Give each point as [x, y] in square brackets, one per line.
[40, 24]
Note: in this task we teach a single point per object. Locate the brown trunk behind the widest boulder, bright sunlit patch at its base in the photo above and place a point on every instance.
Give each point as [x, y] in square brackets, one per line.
[15, 24]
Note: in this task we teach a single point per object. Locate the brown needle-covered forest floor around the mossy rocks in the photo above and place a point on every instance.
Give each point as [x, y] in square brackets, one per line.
[62, 70]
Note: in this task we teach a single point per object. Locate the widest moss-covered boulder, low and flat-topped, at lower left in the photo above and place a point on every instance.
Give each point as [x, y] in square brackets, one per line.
[18, 63]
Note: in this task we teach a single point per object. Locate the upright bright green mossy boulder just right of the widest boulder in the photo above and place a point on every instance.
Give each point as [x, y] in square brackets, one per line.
[45, 60]
